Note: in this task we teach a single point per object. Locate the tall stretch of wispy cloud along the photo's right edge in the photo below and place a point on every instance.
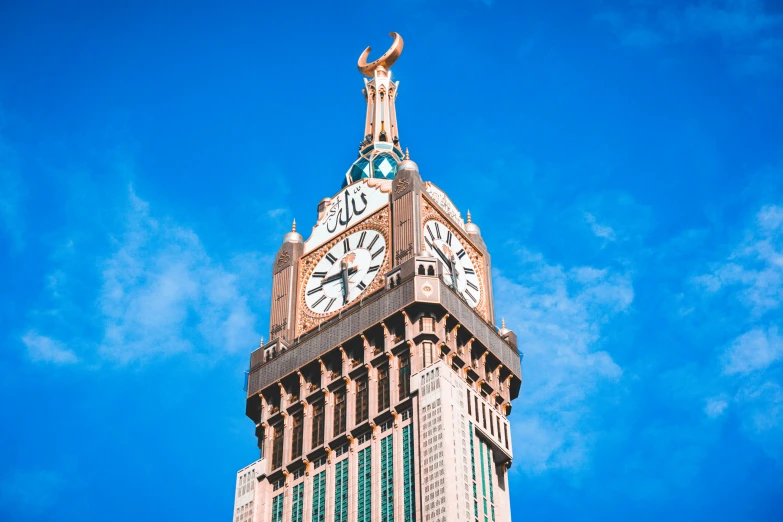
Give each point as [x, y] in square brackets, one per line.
[750, 364]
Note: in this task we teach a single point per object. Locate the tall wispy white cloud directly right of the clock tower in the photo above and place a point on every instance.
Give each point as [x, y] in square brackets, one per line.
[558, 315]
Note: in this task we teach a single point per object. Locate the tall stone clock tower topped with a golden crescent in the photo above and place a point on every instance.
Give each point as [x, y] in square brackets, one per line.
[385, 389]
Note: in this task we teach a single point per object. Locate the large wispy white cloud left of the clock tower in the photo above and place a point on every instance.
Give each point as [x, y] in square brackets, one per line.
[162, 294]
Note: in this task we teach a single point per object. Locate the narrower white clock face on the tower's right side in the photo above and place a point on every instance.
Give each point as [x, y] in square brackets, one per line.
[459, 272]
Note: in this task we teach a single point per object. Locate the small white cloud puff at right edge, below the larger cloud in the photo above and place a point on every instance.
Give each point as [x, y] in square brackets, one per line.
[753, 351]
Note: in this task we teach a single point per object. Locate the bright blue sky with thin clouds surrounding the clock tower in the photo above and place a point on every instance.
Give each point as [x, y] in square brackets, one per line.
[623, 160]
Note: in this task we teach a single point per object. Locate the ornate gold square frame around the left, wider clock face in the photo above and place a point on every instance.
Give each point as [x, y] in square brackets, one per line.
[379, 222]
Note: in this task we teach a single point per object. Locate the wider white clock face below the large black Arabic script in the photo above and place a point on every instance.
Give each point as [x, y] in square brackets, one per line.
[345, 271]
